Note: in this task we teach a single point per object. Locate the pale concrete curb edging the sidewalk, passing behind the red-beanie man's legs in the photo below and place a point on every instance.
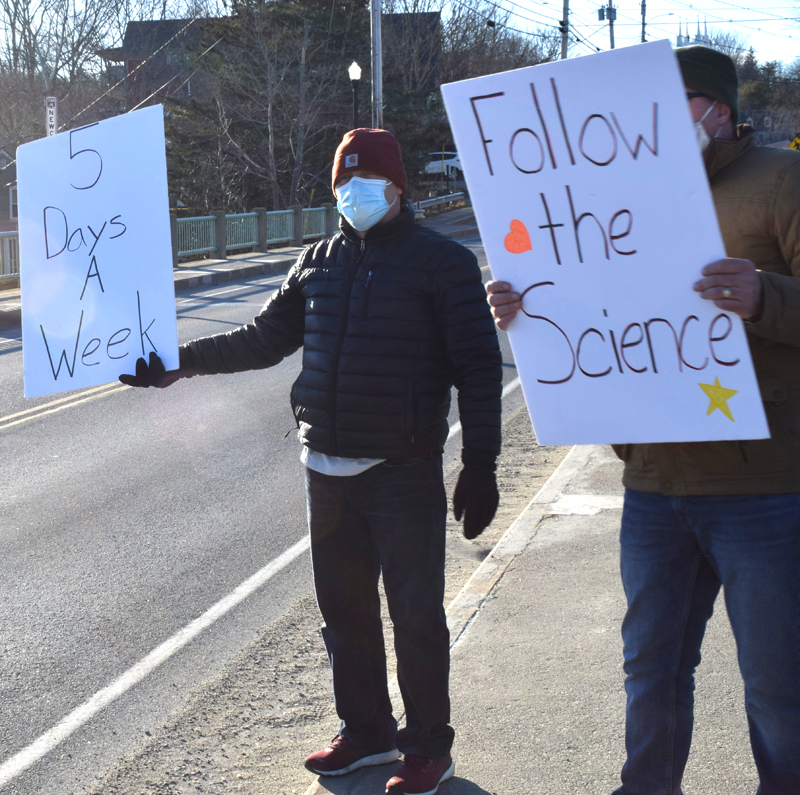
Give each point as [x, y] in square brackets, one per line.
[466, 606]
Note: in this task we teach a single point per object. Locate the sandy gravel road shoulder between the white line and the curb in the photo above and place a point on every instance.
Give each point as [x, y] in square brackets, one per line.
[249, 729]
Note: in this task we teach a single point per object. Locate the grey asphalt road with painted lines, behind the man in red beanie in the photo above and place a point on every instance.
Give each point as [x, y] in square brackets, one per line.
[125, 516]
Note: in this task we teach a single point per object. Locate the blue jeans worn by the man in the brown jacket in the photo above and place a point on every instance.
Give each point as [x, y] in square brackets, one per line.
[676, 552]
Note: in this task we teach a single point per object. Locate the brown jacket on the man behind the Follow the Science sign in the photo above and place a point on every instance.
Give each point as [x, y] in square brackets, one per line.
[756, 192]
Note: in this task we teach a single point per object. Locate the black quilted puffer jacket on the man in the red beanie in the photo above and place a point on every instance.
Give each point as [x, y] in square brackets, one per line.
[388, 324]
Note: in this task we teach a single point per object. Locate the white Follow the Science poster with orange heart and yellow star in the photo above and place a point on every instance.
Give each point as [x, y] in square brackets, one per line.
[592, 200]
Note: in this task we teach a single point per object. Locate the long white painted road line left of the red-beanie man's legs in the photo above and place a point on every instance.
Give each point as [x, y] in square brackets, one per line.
[22, 760]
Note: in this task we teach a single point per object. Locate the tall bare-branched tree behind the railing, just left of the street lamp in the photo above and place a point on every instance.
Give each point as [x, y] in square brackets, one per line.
[271, 97]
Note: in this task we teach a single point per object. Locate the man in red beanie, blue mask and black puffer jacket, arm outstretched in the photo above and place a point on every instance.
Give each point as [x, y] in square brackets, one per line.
[390, 315]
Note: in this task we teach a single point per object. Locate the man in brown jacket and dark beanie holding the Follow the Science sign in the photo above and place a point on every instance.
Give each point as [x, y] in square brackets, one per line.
[702, 515]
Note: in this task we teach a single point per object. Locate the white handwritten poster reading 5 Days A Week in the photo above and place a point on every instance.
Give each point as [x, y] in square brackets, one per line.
[95, 253]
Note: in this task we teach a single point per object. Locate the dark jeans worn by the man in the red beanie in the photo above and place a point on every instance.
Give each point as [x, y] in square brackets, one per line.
[390, 519]
